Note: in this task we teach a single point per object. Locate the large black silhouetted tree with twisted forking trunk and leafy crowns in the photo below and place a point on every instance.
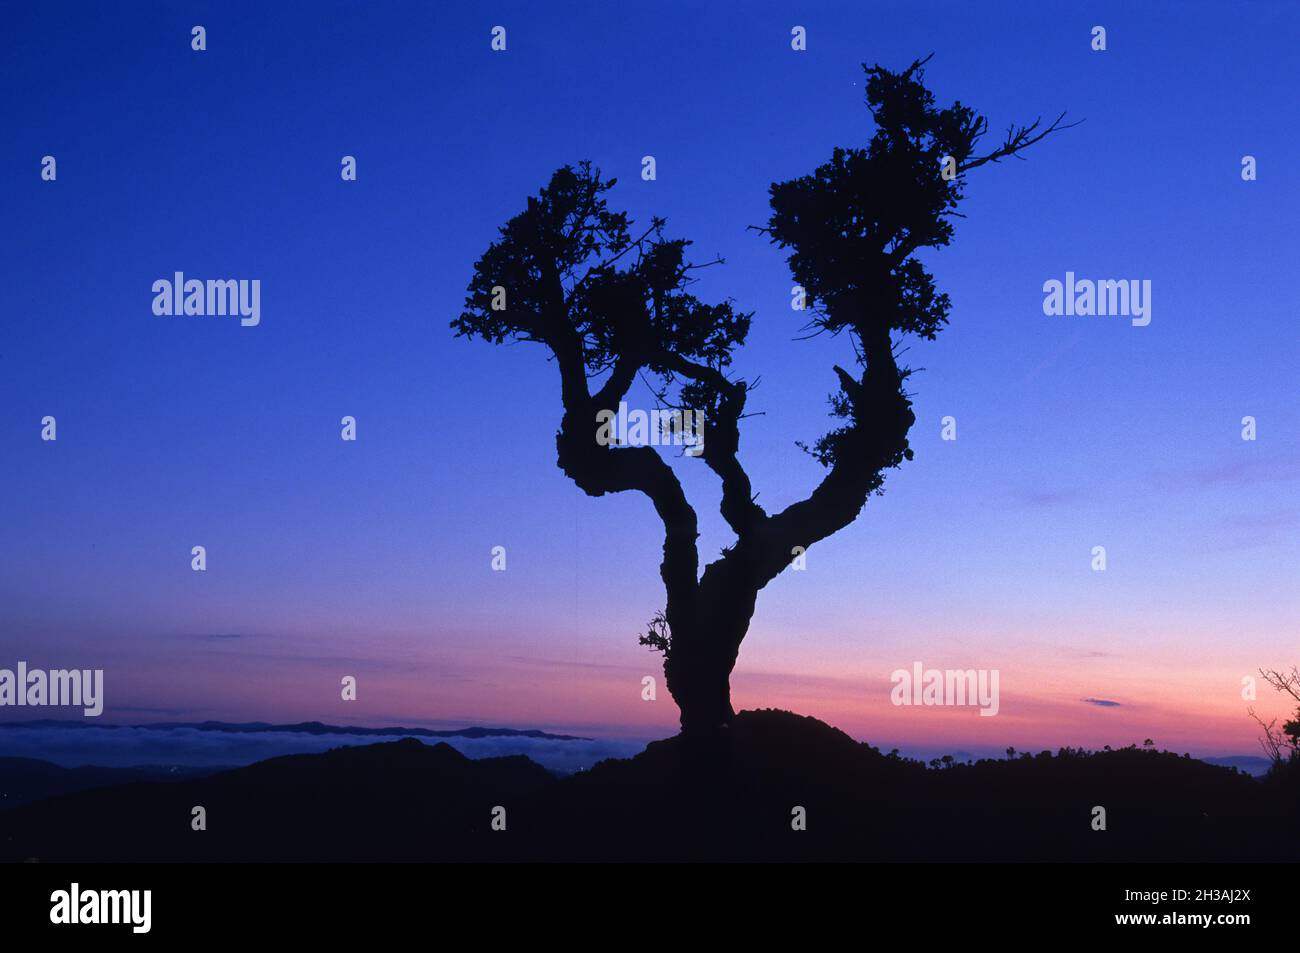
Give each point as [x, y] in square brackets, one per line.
[613, 305]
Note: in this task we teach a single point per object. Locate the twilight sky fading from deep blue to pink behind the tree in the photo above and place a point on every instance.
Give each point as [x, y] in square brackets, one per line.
[372, 558]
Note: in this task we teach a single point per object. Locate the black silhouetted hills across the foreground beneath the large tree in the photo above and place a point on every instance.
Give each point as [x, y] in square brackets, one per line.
[730, 798]
